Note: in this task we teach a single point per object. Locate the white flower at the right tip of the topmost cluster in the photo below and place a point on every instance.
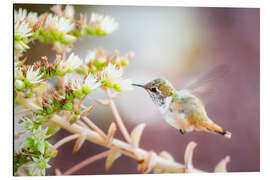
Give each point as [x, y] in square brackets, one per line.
[105, 23]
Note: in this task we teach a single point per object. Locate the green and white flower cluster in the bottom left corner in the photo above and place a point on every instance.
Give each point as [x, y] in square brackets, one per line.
[35, 150]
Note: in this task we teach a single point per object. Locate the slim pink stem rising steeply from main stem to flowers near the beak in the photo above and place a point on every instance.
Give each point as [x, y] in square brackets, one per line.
[117, 117]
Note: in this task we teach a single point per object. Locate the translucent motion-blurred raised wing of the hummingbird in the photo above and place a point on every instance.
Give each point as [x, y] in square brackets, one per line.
[206, 85]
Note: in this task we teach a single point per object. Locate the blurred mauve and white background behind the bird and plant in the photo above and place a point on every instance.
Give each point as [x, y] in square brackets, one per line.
[177, 43]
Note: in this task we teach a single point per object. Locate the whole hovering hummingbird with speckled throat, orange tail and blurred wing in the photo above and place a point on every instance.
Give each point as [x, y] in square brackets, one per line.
[184, 109]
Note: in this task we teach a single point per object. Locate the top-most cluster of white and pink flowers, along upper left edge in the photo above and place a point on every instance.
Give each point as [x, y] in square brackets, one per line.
[59, 28]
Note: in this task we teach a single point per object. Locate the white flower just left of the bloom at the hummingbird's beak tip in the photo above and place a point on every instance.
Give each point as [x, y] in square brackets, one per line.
[111, 74]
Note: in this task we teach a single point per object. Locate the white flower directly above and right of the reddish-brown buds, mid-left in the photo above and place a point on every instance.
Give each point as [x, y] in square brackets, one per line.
[70, 64]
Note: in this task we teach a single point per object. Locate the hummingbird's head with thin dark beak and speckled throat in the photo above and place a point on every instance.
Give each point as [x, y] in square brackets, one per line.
[158, 89]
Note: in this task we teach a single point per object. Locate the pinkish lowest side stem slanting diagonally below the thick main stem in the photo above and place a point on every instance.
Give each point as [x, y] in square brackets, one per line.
[87, 162]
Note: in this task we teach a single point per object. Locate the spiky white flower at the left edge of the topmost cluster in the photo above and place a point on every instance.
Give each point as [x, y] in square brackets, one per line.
[22, 30]
